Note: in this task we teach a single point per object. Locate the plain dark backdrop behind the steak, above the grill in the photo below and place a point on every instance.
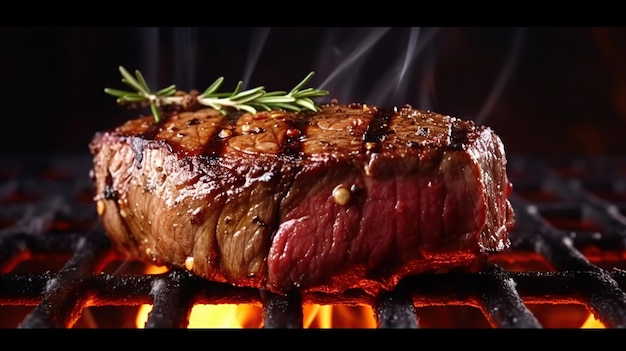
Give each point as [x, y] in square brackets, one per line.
[565, 93]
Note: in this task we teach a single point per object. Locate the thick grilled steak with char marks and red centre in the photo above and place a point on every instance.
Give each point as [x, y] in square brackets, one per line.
[353, 196]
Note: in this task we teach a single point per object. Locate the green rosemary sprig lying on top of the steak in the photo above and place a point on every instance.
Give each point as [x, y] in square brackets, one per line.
[250, 100]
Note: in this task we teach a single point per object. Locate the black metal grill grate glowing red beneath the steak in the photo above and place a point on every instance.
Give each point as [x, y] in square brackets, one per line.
[565, 264]
